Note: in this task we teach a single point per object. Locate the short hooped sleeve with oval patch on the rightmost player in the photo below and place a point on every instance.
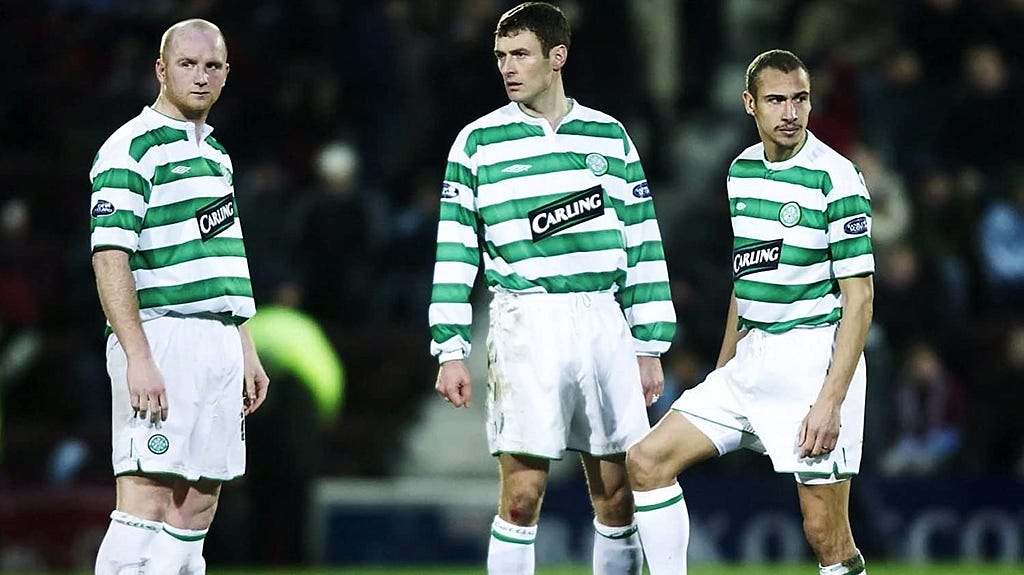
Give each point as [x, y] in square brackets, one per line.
[849, 213]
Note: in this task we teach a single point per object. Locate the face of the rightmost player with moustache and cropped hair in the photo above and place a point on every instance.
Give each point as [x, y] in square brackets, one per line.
[781, 110]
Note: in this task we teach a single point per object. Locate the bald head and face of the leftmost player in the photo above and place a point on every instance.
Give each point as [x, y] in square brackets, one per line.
[194, 73]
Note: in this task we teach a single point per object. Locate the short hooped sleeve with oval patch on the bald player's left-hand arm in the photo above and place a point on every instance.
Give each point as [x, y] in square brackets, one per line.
[120, 199]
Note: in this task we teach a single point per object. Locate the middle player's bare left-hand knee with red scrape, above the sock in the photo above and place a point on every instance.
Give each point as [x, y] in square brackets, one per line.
[524, 480]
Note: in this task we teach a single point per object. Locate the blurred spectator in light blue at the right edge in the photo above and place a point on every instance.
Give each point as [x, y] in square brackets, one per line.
[1001, 247]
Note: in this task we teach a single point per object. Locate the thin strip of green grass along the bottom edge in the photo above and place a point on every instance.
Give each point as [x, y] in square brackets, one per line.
[776, 569]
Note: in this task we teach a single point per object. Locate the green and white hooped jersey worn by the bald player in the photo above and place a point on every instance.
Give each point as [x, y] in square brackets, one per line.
[170, 205]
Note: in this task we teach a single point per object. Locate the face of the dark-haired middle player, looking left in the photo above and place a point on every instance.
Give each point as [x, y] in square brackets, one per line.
[527, 71]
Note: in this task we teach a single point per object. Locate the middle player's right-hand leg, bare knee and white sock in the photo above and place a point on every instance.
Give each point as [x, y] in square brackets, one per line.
[617, 546]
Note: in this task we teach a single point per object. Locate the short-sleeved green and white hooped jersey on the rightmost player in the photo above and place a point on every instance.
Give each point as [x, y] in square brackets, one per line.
[799, 228]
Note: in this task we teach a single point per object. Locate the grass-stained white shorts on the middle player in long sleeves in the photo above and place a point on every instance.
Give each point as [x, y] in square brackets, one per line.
[563, 375]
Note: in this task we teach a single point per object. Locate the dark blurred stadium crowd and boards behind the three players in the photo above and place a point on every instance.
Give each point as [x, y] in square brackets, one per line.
[339, 115]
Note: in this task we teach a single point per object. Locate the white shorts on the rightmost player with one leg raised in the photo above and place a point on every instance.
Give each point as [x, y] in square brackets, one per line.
[758, 401]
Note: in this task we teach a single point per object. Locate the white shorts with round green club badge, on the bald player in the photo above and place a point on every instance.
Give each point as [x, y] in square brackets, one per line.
[204, 434]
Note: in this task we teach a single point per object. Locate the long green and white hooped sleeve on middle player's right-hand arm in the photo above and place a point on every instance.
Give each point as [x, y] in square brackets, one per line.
[646, 297]
